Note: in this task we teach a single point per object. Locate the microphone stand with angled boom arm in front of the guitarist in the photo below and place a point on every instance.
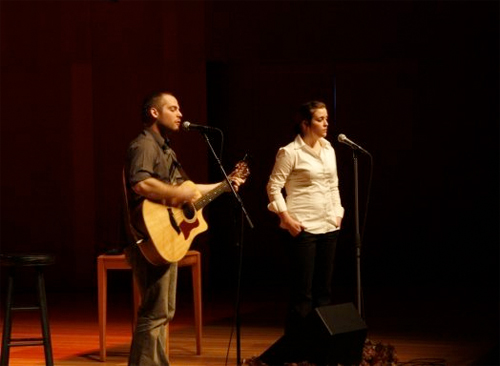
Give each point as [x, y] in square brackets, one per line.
[240, 249]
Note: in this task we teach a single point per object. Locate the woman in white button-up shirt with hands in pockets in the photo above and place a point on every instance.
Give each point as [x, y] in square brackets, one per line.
[311, 212]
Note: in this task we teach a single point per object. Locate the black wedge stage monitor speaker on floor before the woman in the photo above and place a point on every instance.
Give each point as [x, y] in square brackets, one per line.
[334, 334]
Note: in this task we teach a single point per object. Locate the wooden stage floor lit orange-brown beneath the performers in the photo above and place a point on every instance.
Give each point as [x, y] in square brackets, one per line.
[428, 331]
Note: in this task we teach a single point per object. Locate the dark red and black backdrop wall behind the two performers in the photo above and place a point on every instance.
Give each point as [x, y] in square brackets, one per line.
[416, 84]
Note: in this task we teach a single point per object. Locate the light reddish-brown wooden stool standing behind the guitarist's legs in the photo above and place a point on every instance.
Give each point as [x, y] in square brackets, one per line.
[107, 262]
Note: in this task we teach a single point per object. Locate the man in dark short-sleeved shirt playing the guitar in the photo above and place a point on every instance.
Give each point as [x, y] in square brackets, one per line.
[153, 175]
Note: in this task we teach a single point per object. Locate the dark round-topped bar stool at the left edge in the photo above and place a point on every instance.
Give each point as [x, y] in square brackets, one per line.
[15, 262]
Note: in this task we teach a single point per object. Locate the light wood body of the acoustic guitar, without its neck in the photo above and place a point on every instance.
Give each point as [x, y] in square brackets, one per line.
[170, 230]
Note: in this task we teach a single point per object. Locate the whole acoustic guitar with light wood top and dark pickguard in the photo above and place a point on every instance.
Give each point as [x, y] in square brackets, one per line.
[171, 230]
